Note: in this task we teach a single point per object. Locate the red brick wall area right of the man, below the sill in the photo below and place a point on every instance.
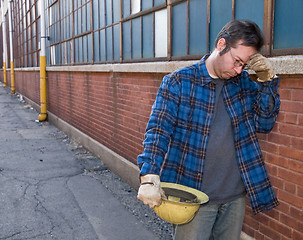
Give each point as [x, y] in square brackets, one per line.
[283, 153]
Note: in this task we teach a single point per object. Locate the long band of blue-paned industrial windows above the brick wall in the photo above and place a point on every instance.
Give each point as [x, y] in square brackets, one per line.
[110, 31]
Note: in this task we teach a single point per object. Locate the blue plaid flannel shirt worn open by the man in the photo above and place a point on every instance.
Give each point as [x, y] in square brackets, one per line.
[177, 132]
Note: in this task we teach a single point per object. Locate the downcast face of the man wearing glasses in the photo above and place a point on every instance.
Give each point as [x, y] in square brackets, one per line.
[232, 62]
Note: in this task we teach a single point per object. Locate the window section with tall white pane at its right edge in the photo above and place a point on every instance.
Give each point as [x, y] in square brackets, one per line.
[144, 30]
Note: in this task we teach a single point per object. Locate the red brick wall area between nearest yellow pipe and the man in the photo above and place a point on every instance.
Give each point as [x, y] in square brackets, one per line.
[112, 108]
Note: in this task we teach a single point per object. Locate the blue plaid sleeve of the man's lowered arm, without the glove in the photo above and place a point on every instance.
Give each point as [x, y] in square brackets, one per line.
[160, 126]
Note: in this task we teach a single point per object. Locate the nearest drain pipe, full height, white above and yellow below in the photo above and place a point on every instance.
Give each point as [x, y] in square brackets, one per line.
[43, 110]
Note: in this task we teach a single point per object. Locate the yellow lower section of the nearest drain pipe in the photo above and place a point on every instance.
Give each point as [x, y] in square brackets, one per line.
[43, 111]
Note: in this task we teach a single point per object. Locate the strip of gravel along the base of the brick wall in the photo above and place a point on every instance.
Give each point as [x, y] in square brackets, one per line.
[95, 168]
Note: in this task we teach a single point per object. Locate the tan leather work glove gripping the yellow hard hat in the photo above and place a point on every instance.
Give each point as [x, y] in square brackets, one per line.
[150, 192]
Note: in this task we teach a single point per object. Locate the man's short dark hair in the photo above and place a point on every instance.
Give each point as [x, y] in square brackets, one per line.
[245, 30]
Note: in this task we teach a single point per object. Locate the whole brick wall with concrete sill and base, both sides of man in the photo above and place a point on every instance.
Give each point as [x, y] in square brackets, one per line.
[106, 108]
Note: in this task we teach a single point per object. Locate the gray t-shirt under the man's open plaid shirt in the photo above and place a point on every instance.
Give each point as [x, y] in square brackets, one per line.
[221, 180]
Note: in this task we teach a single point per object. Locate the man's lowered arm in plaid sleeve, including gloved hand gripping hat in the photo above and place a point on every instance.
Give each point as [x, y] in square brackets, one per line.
[157, 137]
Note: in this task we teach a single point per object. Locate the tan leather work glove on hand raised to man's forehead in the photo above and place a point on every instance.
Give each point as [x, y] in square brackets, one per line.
[262, 66]
